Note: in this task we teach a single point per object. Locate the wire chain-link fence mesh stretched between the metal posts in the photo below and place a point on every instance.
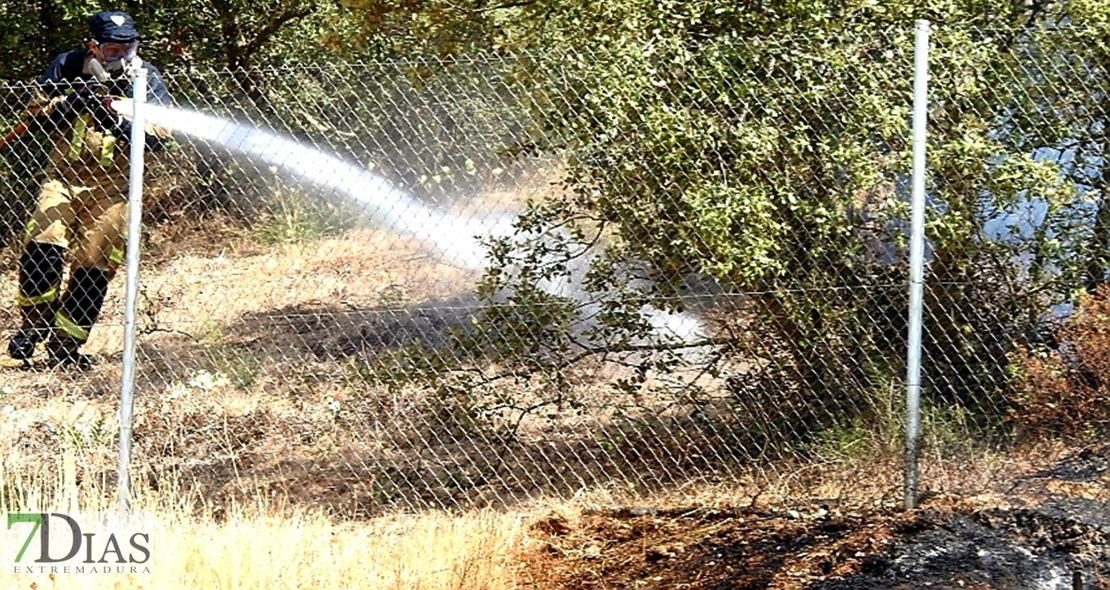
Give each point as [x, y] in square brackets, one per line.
[440, 283]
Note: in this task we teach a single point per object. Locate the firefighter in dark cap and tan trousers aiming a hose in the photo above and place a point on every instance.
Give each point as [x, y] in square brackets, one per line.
[82, 209]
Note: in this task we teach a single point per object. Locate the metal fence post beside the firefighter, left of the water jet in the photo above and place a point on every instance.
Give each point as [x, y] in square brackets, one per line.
[135, 228]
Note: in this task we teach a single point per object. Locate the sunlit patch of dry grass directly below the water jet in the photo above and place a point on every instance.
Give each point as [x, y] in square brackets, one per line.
[197, 294]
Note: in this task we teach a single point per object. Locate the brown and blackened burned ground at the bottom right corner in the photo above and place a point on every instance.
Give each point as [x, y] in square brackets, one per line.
[1047, 530]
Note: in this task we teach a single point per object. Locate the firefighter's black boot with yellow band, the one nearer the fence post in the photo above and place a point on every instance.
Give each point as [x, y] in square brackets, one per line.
[80, 308]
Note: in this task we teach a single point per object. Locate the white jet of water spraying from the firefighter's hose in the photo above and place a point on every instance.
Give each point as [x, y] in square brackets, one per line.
[459, 239]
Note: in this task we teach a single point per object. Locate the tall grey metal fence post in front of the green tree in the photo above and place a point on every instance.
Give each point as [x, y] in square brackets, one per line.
[916, 261]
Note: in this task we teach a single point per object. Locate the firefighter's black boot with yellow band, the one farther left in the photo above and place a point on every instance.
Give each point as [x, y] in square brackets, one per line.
[41, 276]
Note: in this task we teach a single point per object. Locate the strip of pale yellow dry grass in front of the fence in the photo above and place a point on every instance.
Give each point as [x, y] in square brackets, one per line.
[259, 546]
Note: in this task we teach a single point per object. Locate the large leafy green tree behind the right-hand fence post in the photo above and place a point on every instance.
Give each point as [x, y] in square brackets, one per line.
[766, 146]
